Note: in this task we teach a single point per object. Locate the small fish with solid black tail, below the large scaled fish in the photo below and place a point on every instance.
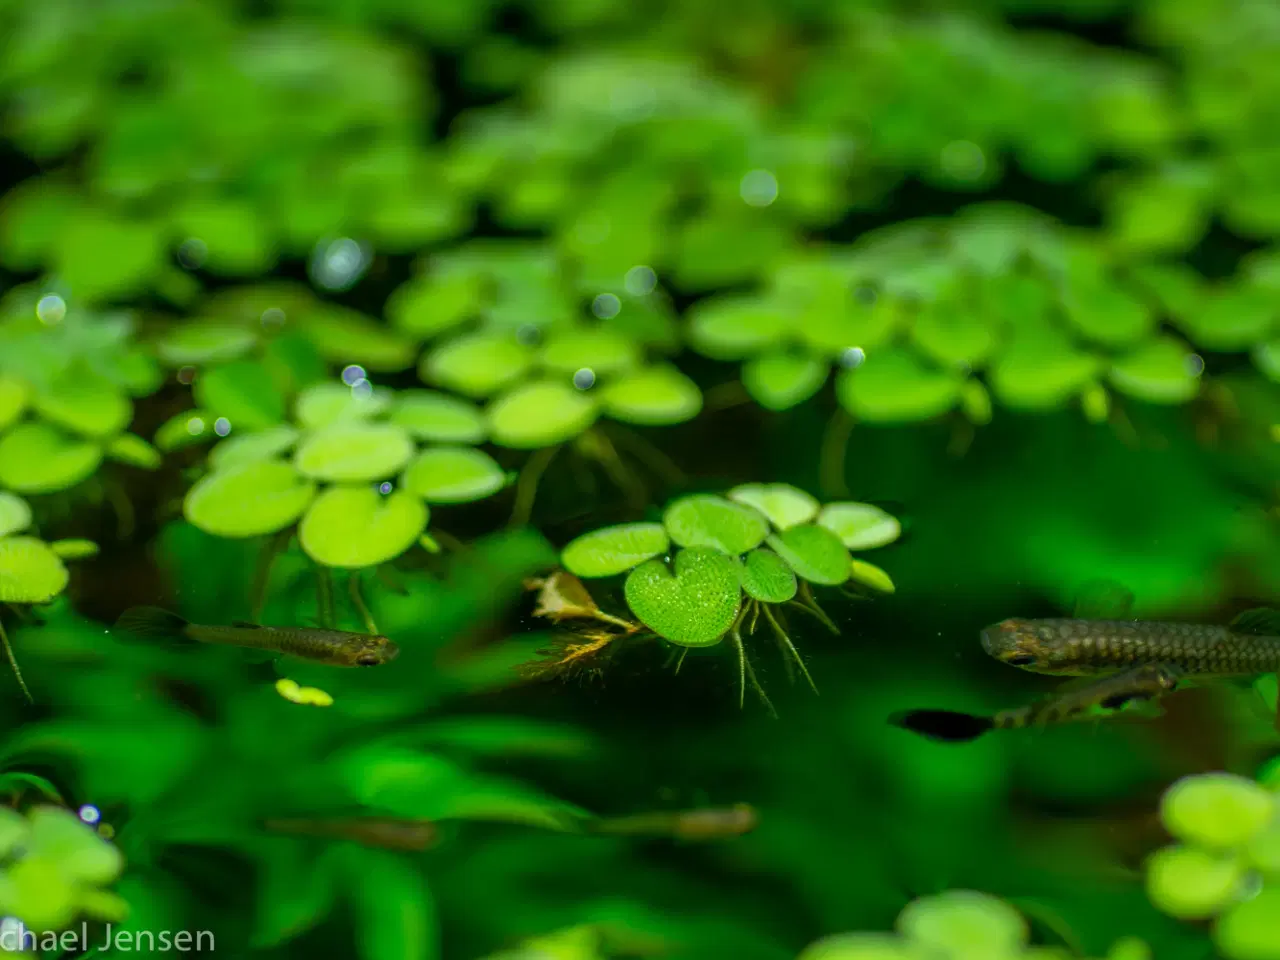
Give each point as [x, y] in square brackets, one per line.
[1113, 693]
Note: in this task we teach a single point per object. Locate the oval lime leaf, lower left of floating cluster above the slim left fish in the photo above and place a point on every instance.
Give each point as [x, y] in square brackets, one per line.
[250, 500]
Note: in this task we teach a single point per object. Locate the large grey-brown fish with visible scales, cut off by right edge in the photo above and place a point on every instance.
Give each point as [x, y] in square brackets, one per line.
[1249, 646]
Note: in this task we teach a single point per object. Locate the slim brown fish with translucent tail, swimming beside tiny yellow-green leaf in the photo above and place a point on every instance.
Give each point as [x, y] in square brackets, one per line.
[336, 648]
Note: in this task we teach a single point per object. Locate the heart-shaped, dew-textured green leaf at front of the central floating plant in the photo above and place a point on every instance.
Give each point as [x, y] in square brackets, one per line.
[694, 606]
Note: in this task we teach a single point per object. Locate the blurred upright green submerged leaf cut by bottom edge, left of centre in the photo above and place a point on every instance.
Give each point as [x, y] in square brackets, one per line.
[394, 908]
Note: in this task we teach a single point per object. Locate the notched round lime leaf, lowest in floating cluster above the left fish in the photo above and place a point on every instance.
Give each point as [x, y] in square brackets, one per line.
[358, 527]
